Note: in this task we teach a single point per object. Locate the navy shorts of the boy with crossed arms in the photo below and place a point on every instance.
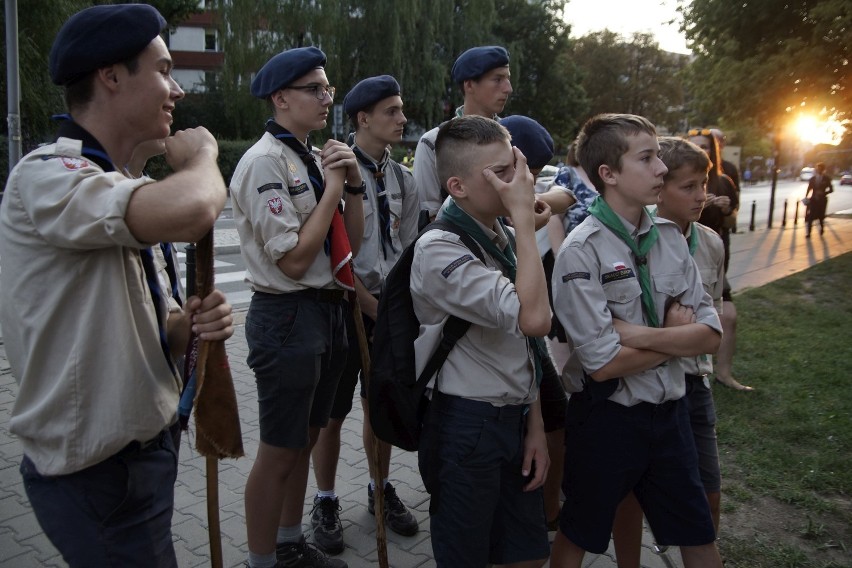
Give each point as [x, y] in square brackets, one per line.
[613, 449]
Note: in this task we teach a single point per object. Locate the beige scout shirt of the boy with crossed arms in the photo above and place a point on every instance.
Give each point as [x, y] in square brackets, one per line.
[594, 281]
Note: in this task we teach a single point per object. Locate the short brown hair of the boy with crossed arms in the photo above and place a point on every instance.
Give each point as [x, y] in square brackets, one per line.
[603, 140]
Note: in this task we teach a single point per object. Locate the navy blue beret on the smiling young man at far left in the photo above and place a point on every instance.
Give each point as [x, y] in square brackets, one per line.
[100, 36]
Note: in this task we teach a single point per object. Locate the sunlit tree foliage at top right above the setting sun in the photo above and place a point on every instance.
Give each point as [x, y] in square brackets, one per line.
[758, 62]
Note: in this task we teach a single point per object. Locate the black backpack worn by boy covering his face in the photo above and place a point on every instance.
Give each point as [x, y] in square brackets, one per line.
[396, 395]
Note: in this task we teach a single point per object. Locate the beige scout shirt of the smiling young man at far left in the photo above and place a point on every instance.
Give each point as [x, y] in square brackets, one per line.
[78, 320]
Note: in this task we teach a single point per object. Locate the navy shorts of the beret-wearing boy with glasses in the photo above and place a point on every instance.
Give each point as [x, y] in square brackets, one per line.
[297, 350]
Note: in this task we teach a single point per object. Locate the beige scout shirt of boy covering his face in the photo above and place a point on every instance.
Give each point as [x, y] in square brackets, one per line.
[492, 362]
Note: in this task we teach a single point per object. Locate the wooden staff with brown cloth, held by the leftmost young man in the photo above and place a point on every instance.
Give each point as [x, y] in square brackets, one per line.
[217, 420]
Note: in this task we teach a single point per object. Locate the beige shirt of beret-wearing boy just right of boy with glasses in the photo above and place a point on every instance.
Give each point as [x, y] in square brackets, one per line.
[371, 266]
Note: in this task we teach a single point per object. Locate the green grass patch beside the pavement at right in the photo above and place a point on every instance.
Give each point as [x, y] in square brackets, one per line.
[791, 440]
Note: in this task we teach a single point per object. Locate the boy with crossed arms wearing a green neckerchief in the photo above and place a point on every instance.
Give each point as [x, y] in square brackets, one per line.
[630, 298]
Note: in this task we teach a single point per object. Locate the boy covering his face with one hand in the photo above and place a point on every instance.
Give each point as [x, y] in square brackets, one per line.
[483, 454]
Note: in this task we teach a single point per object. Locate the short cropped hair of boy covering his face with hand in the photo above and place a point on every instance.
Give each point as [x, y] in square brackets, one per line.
[459, 138]
